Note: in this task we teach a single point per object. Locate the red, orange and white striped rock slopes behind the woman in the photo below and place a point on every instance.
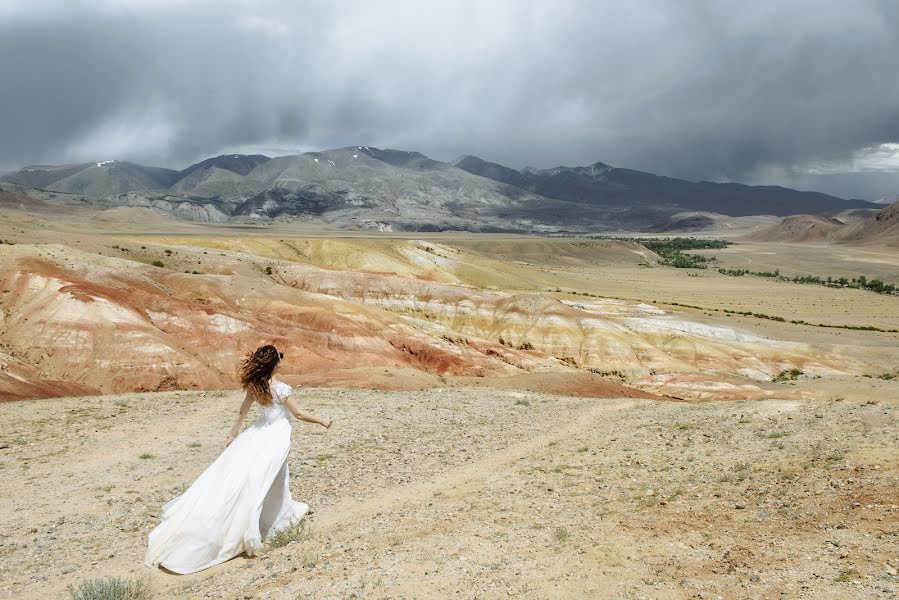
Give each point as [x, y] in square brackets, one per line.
[77, 322]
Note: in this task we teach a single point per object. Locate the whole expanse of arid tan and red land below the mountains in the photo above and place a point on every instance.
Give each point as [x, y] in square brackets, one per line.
[515, 416]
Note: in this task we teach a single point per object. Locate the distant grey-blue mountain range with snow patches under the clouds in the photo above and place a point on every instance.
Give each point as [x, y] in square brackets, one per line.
[363, 187]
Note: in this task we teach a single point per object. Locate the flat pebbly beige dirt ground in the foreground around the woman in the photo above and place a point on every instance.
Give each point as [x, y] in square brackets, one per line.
[475, 493]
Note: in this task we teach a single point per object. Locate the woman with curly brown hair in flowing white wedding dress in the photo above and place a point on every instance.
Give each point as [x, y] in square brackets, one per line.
[242, 497]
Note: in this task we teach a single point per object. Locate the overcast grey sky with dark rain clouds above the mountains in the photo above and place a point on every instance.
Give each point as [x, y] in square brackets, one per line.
[795, 92]
